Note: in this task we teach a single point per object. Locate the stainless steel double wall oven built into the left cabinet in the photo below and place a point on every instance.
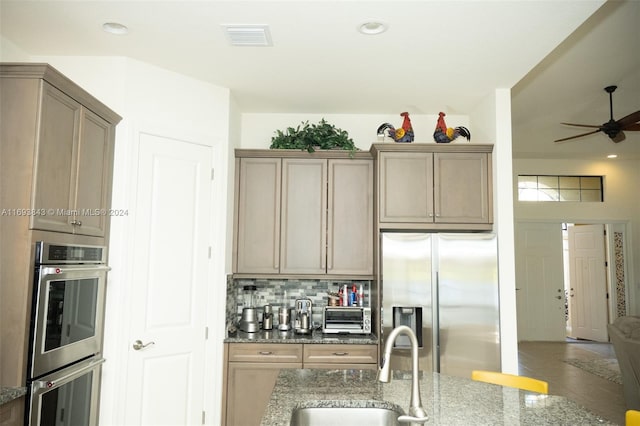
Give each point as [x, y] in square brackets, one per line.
[65, 346]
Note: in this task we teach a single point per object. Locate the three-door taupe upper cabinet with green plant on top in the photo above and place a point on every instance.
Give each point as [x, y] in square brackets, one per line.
[317, 213]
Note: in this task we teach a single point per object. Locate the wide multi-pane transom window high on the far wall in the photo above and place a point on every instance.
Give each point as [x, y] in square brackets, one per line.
[560, 188]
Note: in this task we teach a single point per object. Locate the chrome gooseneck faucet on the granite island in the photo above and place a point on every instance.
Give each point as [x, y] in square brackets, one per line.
[417, 413]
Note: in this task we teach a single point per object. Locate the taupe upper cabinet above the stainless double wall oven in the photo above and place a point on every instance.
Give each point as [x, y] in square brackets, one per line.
[66, 138]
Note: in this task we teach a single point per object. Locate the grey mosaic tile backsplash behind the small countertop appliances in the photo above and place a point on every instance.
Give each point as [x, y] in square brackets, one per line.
[281, 292]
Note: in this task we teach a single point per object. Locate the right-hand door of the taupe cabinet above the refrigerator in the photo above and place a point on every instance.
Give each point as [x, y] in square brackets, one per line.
[461, 190]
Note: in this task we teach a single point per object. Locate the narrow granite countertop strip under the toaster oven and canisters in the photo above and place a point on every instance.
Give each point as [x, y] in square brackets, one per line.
[276, 336]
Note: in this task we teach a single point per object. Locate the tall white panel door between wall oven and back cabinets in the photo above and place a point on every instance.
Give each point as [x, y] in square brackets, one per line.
[169, 288]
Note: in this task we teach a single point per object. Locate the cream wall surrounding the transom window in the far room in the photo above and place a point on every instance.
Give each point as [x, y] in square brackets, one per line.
[621, 182]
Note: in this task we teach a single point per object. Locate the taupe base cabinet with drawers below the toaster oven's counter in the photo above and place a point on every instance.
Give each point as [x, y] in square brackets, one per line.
[252, 370]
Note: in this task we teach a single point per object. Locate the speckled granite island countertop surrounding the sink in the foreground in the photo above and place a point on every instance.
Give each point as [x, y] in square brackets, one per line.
[448, 400]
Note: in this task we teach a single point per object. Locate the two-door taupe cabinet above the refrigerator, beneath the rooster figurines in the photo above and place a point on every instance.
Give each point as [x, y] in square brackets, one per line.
[434, 186]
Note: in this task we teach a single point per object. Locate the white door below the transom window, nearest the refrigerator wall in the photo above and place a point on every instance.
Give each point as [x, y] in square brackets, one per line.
[540, 282]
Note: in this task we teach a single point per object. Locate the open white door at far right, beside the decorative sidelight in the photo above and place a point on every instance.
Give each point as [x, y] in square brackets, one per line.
[588, 290]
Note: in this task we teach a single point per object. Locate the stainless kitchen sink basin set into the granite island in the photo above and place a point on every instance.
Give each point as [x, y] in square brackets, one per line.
[370, 416]
